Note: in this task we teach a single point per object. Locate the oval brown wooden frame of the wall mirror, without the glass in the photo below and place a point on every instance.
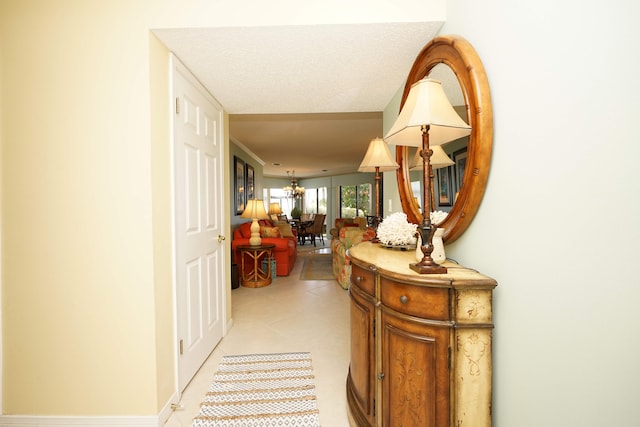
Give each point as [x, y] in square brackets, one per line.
[459, 55]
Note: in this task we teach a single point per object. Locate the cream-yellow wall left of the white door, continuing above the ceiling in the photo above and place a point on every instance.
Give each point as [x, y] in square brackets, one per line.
[87, 319]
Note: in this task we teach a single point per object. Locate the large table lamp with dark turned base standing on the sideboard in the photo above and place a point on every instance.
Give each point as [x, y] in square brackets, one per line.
[427, 118]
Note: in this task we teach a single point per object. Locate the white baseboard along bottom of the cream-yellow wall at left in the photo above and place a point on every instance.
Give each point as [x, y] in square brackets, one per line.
[61, 421]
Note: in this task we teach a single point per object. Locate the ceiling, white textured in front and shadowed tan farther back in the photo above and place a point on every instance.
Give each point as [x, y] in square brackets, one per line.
[306, 97]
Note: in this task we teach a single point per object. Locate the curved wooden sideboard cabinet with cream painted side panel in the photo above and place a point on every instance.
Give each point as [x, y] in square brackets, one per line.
[420, 344]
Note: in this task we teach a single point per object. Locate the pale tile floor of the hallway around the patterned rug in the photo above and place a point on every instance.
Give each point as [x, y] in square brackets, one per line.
[288, 315]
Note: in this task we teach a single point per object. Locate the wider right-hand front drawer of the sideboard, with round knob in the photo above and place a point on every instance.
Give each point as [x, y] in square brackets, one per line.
[419, 301]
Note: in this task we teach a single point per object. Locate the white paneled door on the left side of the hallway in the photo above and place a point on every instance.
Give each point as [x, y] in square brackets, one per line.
[199, 209]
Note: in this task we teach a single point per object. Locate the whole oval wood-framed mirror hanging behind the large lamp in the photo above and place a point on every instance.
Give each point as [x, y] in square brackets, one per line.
[458, 188]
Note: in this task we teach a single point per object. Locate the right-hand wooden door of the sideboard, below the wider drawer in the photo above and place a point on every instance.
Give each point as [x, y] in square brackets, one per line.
[416, 373]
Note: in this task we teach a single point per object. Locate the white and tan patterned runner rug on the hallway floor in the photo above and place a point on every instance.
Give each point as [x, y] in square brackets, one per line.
[261, 390]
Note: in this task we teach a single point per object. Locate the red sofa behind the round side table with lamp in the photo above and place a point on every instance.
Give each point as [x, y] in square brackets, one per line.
[286, 249]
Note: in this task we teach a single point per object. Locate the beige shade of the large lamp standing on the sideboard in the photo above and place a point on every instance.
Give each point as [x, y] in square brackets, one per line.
[427, 104]
